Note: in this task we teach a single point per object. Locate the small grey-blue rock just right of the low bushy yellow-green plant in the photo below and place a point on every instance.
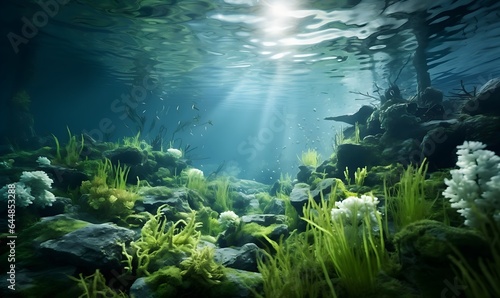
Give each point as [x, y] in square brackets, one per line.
[243, 258]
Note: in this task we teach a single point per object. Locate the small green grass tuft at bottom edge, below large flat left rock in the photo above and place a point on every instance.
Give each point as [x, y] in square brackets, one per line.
[95, 285]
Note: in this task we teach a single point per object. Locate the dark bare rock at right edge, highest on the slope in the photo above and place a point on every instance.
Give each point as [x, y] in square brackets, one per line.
[487, 100]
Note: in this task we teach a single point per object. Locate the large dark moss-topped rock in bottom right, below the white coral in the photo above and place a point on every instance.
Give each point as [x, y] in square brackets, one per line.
[424, 248]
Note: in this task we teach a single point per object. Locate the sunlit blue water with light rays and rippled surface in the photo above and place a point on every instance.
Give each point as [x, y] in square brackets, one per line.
[245, 82]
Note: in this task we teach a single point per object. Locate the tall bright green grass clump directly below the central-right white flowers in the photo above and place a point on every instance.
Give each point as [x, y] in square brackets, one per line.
[356, 252]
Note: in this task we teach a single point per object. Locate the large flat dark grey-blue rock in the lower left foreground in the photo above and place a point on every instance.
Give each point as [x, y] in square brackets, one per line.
[94, 246]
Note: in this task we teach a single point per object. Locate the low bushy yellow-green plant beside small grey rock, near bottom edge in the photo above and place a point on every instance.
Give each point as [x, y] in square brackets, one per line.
[201, 267]
